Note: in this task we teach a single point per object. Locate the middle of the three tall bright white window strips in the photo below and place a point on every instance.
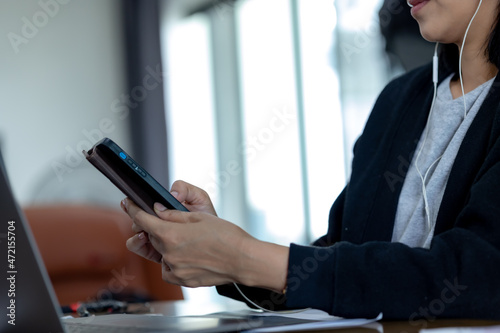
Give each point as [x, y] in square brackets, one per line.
[270, 120]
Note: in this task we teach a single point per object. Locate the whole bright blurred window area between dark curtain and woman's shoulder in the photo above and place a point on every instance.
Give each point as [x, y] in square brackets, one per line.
[264, 106]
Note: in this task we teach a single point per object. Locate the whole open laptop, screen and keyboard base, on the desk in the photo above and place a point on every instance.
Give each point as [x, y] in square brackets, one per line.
[28, 302]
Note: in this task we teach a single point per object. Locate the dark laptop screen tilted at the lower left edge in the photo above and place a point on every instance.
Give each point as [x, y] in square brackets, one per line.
[28, 302]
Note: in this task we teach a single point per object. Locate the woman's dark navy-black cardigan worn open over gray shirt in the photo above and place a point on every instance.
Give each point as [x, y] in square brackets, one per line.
[355, 270]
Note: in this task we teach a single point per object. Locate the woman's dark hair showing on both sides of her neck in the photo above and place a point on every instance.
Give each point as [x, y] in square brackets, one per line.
[450, 53]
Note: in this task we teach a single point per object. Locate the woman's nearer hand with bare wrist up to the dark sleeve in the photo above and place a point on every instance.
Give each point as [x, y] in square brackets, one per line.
[200, 249]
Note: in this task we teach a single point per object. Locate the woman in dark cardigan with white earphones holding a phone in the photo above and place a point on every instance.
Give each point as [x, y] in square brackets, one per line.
[415, 233]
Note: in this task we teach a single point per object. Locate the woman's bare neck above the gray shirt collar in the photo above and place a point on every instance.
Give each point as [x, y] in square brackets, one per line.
[476, 70]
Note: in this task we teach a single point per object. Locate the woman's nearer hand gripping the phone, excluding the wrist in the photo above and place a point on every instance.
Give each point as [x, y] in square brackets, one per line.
[192, 253]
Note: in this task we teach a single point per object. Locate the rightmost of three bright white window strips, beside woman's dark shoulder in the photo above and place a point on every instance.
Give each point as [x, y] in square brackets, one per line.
[322, 111]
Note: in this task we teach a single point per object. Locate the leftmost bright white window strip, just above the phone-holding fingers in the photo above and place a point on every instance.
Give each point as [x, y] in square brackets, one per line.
[190, 113]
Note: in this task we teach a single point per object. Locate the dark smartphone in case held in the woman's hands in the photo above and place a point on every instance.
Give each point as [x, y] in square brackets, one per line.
[133, 180]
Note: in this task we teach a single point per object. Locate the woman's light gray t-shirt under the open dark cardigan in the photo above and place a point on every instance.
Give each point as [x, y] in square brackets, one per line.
[446, 129]
